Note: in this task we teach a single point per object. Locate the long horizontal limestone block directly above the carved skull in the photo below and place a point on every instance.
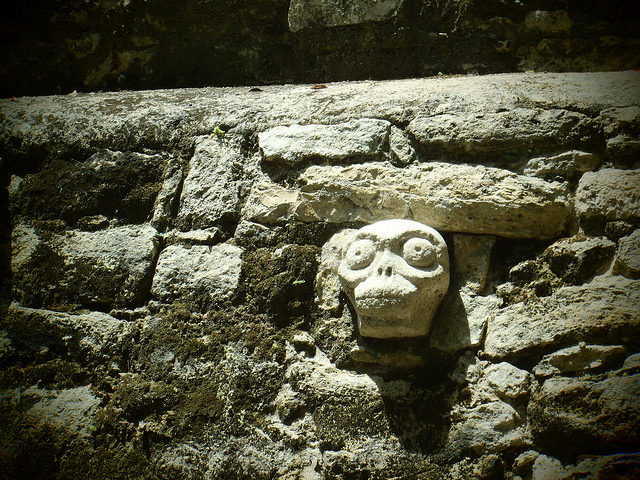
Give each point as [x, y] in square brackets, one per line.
[463, 198]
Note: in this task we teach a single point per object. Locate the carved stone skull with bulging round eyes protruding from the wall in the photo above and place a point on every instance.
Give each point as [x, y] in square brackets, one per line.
[395, 272]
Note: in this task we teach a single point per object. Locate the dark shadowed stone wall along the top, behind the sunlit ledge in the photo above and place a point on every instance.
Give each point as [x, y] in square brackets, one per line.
[52, 47]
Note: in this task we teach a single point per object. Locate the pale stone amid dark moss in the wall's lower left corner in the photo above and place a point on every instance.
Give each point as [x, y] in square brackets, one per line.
[72, 409]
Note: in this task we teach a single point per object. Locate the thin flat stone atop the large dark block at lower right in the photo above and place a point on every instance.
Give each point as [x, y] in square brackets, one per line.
[579, 359]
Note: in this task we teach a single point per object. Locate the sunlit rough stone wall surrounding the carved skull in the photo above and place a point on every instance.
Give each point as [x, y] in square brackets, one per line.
[171, 308]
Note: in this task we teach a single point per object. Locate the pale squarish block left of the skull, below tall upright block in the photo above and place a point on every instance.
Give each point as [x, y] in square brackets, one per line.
[197, 271]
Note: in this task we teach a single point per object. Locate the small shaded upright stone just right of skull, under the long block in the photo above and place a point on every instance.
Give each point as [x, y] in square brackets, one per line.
[471, 259]
